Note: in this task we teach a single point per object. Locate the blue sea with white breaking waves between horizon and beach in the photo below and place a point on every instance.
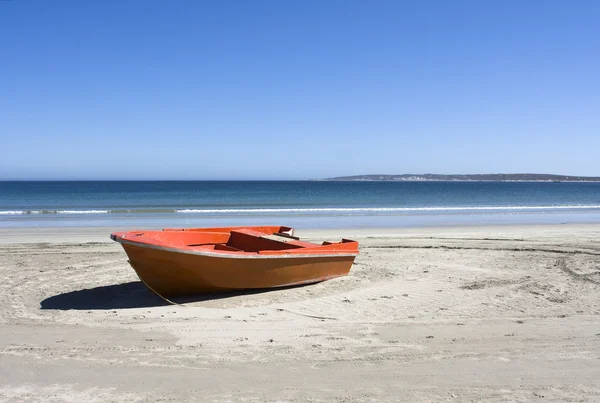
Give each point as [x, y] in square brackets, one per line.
[302, 204]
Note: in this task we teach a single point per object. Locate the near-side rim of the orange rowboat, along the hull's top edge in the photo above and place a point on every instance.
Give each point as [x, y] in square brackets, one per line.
[229, 255]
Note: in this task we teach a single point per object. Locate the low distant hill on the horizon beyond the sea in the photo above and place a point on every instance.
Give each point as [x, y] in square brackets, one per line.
[467, 178]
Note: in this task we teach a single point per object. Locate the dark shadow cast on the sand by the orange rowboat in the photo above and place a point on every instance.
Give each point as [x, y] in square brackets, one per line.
[127, 295]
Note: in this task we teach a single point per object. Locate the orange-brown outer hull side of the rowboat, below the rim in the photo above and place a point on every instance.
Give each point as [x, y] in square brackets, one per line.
[172, 273]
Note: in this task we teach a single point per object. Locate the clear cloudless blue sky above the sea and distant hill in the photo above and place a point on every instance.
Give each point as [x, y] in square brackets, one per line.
[300, 89]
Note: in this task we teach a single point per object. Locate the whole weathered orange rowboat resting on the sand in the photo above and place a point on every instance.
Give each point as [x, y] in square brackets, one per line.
[181, 262]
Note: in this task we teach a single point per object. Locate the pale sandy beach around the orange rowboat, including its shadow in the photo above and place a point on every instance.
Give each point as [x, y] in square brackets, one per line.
[454, 314]
